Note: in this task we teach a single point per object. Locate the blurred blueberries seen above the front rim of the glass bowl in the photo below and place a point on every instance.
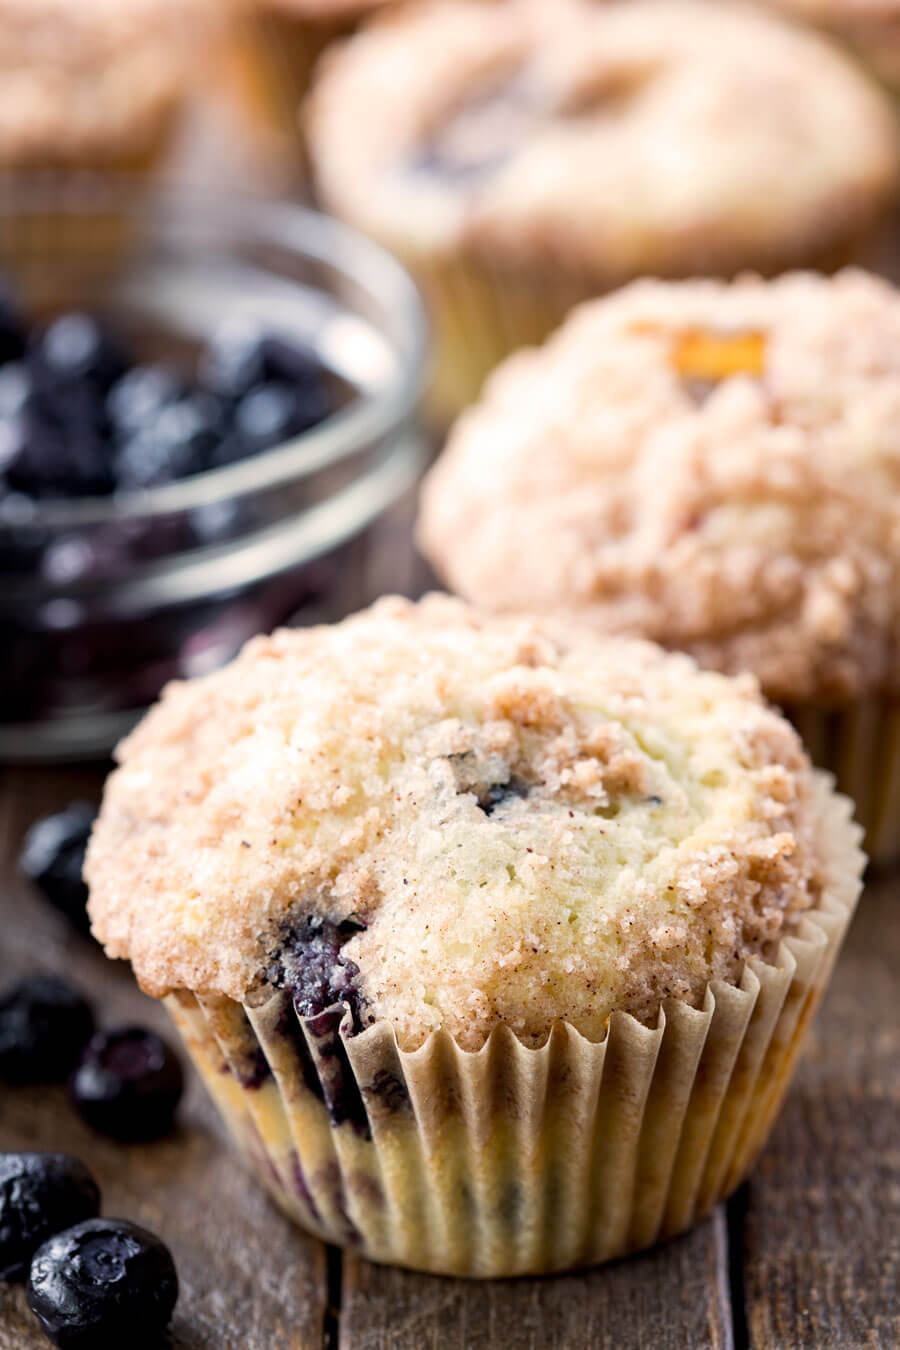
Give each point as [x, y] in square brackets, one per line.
[82, 418]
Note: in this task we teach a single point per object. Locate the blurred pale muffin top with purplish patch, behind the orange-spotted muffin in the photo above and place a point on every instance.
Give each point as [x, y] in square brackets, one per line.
[663, 136]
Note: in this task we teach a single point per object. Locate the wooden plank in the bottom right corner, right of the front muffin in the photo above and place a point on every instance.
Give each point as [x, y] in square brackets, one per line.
[821, 1240]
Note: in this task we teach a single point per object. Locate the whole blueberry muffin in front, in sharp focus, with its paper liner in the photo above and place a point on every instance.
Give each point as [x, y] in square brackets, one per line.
[495, 942]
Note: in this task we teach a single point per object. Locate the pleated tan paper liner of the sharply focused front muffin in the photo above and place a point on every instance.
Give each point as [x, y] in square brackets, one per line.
[513, 1160]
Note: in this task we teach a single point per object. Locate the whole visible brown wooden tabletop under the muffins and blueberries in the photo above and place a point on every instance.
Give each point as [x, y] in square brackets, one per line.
[808, 1255]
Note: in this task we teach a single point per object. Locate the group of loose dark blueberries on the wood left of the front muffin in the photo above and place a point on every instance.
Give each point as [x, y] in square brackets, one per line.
[91, 1282]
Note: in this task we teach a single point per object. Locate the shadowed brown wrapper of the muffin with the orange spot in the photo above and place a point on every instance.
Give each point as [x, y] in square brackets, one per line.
[860, 746]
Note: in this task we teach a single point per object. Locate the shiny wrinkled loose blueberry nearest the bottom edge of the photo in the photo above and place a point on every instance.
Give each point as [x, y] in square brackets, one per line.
[103, 1285]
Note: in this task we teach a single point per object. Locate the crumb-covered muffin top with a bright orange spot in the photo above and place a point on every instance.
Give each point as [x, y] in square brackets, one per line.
[713, 466]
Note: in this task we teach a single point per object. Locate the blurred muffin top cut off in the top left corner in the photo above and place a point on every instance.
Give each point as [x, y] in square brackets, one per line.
[90, 78]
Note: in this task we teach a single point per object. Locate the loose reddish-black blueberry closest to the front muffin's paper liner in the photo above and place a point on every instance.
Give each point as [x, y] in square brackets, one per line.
[129, 1085]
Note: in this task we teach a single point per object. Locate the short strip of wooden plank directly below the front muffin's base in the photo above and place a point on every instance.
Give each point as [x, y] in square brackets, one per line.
[673, 1299]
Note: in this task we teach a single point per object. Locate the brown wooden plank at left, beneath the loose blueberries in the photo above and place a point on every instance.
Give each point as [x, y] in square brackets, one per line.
[219, 1224]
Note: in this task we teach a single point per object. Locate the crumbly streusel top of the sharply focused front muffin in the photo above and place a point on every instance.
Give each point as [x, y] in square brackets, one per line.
[453, 821]
